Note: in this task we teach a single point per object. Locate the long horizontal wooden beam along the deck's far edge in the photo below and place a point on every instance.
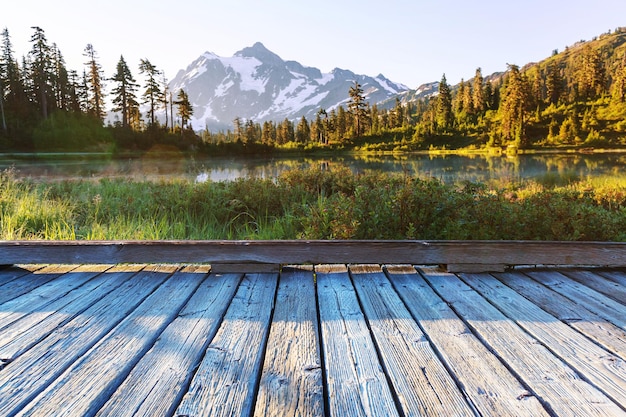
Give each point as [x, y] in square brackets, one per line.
[277, 252]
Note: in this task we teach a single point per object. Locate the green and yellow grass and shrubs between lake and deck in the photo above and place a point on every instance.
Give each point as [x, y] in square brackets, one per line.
[314, 204]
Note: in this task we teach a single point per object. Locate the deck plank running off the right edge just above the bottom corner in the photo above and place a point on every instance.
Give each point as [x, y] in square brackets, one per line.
[603, 369]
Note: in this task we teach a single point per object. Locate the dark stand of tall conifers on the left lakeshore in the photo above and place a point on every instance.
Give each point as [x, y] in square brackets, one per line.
[40, 93]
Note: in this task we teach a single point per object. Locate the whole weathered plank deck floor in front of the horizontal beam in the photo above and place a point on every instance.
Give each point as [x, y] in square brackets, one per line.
[329, 340]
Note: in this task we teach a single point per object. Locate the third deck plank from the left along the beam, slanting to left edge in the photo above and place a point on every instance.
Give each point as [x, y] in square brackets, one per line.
[47, 293]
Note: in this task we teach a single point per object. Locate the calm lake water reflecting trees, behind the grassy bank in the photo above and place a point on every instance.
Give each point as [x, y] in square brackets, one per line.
[448, 168]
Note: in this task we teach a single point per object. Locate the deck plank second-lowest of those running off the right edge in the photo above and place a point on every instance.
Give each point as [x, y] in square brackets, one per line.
[577, 316]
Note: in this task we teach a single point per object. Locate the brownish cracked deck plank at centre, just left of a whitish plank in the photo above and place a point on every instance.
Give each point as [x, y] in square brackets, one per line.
[291, 383]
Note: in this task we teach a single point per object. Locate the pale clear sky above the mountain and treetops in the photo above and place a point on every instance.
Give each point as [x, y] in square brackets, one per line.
[408, 41]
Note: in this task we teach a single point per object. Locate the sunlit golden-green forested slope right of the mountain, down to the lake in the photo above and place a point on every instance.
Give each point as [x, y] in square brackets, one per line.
[573, 98]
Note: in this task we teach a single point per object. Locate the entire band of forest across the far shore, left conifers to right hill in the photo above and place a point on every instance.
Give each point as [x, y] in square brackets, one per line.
[576, 97]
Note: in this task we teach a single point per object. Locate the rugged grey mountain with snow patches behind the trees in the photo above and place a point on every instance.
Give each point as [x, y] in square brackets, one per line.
[256, 84]
